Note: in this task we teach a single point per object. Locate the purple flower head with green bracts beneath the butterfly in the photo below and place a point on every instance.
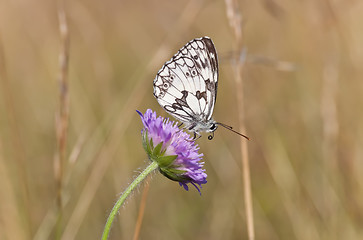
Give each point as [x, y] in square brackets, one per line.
[174, 150]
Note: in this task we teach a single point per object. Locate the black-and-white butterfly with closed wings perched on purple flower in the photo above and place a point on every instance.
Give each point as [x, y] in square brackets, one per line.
[186, 86]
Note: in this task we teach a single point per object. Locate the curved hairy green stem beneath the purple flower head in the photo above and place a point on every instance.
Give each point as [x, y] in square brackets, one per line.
[124, 195]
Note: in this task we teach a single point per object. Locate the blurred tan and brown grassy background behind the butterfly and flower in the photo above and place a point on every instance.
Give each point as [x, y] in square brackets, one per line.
[303, 109]
